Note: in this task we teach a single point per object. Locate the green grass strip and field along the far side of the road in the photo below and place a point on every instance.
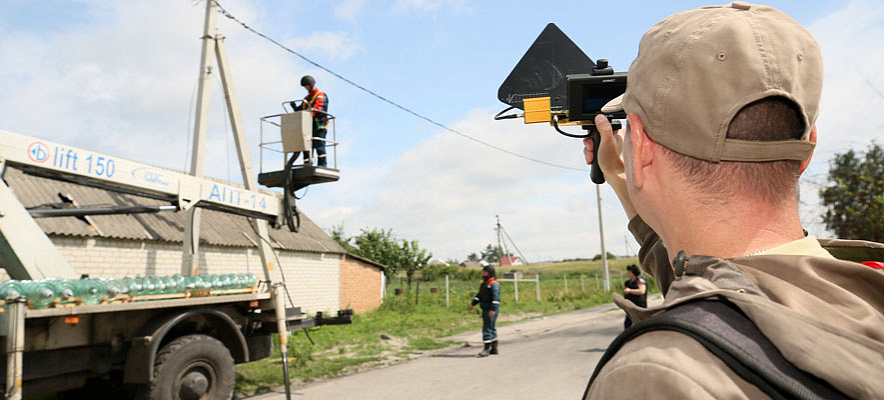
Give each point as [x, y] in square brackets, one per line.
[409, 324]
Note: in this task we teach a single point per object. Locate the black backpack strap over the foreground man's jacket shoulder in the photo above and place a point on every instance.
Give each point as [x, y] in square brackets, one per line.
[726, 332]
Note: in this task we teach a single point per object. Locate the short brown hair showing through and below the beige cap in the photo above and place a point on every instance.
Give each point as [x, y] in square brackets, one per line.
[771, 118]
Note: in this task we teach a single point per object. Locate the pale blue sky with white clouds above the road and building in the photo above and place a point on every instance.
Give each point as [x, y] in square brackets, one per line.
[119, 77]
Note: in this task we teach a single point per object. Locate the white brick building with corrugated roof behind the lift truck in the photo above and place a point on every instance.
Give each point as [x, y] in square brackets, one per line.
[314, 266]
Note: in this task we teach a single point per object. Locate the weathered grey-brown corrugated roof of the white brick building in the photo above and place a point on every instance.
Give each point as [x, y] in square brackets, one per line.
[217, 228]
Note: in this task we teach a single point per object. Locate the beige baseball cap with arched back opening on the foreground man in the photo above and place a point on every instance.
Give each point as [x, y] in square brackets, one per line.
[696, 69]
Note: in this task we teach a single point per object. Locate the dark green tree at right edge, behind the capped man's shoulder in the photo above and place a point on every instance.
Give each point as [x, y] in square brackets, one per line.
[854, 199]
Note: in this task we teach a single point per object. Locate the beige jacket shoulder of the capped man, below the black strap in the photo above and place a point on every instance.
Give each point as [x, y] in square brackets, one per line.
[669, 365]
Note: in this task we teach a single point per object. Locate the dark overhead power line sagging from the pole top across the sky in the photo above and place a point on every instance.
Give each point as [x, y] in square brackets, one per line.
[227, 14]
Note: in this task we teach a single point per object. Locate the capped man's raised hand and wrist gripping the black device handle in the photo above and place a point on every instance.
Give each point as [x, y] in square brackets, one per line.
[610, 160]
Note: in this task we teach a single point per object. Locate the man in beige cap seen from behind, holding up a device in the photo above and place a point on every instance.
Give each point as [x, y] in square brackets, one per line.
[721, 104]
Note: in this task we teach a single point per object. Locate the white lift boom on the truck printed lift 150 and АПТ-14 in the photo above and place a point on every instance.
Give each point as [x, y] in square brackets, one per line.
[28, 252]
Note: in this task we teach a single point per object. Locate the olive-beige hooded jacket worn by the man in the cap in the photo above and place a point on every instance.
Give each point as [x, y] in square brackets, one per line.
[826, 316]
